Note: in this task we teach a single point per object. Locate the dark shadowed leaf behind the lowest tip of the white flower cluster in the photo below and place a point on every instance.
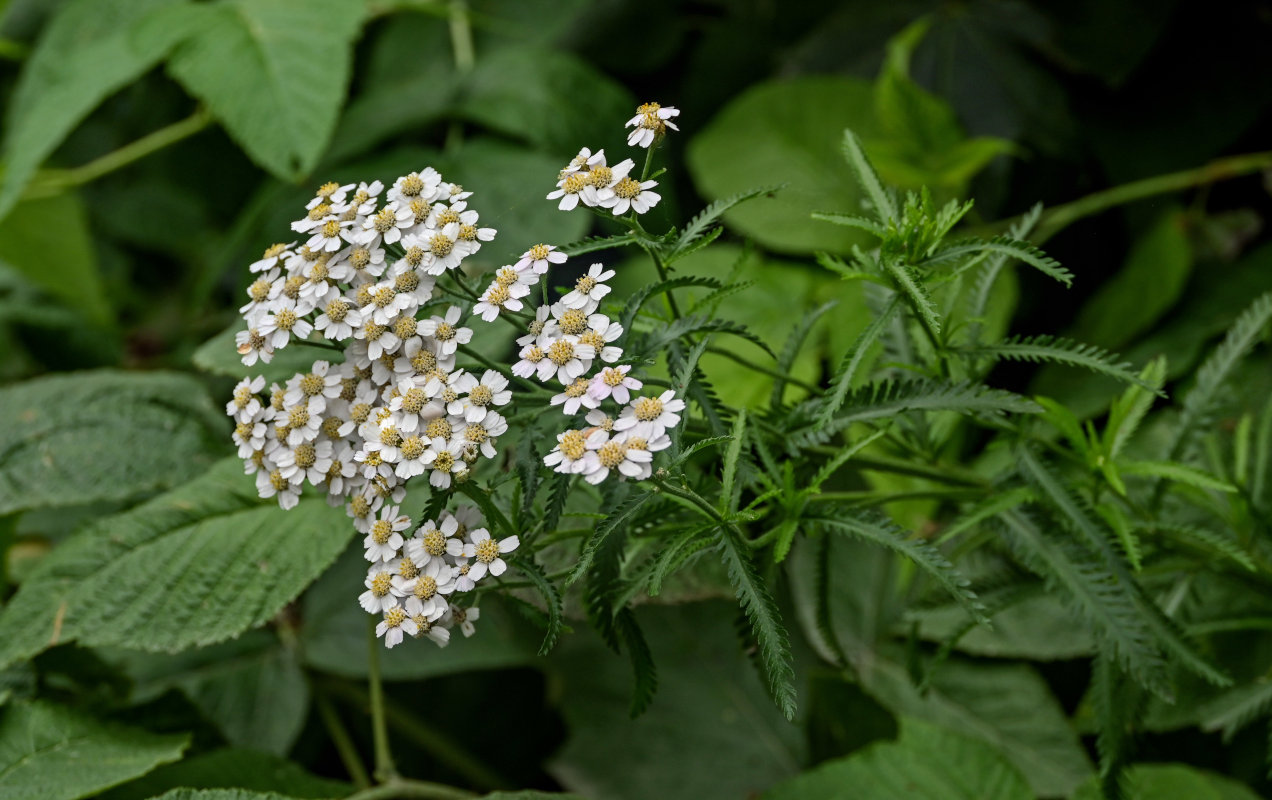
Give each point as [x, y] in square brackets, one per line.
[334, 635]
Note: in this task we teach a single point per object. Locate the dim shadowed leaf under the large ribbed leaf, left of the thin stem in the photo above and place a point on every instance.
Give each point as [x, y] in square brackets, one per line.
[250, 687]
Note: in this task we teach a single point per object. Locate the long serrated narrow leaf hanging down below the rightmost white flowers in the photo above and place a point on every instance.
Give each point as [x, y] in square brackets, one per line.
[766, 624]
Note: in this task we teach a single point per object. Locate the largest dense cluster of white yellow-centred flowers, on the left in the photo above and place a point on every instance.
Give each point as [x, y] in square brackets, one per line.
[396, 408]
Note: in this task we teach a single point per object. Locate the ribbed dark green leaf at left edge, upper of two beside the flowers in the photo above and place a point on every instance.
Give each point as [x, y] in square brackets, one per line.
[79, 438]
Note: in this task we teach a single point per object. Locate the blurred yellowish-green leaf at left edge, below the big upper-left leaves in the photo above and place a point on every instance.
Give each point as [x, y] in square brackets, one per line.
[48, 241]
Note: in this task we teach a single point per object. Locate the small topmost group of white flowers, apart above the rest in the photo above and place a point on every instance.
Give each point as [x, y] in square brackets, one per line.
[591, 181]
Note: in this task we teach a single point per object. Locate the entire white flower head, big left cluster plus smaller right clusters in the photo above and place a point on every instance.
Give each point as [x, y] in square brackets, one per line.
[377, 275]
